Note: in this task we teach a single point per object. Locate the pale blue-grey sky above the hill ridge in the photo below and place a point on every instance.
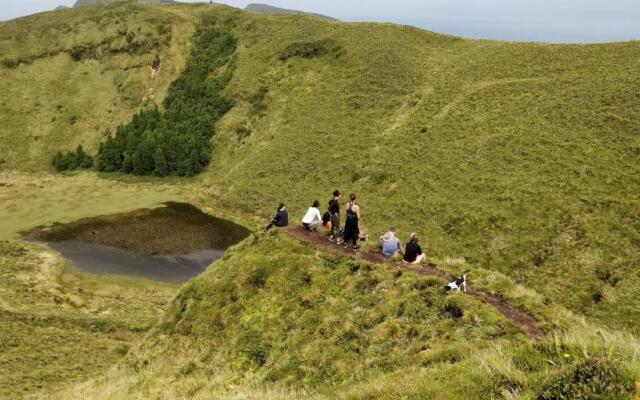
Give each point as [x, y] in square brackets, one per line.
[560, 21]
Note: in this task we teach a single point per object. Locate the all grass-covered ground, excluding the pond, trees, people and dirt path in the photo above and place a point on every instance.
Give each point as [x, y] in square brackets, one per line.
[518, 163]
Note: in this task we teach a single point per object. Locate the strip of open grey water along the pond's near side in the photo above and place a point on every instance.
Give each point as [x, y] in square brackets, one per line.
[106, 260]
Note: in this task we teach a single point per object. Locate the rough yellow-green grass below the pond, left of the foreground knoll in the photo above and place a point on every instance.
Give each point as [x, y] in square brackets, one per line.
[59, 326]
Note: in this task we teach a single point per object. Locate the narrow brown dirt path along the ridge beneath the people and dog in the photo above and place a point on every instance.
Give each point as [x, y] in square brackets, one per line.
[518, 317]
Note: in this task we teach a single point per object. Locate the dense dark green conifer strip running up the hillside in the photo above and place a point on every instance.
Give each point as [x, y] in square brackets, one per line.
[178, 140]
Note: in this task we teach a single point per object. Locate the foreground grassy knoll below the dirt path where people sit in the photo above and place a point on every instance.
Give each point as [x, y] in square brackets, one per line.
[276, 319]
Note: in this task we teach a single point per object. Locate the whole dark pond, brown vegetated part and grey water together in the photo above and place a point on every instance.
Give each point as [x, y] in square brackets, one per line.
[169, 244]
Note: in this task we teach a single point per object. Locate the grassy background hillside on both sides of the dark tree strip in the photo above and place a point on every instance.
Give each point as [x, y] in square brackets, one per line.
[515, 157]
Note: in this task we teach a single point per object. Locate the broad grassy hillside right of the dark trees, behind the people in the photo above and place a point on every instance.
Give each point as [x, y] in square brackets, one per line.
[520, 158]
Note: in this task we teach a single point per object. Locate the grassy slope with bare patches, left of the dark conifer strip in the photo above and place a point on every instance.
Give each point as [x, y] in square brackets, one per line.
[70, 75]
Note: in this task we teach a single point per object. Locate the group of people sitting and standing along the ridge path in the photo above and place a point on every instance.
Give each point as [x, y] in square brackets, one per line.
[349, 235]
